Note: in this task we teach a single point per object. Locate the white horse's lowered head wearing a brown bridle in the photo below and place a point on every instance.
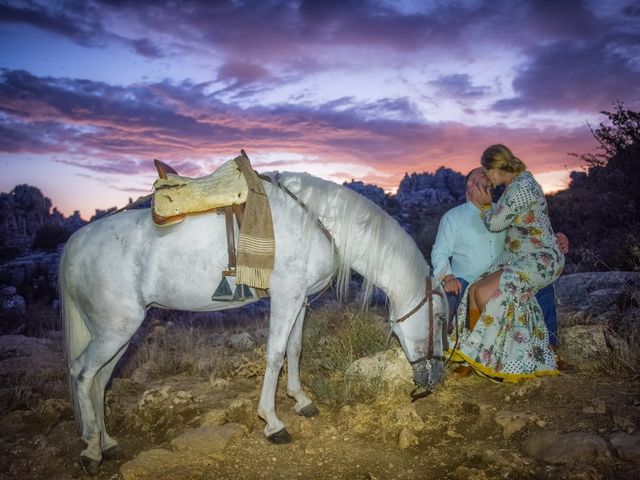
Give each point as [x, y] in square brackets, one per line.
[422, 334]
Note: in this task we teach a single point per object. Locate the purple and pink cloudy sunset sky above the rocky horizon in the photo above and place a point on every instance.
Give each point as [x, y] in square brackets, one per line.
[92, 91]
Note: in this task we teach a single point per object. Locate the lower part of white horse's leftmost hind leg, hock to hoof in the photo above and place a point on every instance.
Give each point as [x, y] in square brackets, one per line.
[83, 370]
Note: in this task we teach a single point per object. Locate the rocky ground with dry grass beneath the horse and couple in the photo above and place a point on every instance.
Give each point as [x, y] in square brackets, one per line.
[183, 404]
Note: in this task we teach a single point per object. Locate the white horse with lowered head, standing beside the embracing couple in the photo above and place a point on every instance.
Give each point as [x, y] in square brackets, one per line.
[114, 269]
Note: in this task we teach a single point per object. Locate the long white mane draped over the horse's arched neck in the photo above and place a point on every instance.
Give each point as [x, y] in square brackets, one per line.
[353, 219]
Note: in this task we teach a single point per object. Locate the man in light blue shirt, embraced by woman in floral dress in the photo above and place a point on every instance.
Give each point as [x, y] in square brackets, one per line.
[465, 249]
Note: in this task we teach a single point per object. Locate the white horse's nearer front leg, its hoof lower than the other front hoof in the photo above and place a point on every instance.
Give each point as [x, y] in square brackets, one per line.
[283, 315]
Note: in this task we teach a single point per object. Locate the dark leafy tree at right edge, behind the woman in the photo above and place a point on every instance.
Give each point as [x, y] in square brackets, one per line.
[600, 212]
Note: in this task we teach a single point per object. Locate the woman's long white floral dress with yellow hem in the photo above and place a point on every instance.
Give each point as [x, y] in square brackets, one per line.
[510, 340]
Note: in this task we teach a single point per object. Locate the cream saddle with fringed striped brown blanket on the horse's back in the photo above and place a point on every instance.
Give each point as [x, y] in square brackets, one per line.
[233, 183]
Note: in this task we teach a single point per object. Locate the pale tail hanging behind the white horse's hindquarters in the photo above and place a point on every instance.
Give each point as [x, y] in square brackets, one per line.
[76, 334]
